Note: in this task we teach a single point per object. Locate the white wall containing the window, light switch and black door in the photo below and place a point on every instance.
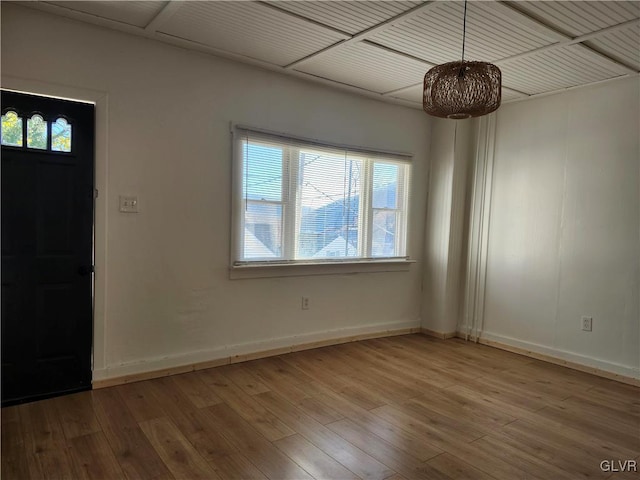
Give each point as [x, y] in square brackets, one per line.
[164, 296]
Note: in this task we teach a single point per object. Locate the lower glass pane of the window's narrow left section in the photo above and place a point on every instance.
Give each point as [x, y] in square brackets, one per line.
[262, 230]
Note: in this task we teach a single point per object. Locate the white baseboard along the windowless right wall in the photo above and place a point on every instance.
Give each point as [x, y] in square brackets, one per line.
[602, 368]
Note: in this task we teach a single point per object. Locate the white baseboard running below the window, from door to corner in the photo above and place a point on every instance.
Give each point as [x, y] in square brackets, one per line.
[188, 362]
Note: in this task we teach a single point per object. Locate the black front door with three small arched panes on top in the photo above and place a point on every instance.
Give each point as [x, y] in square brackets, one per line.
[47, 246]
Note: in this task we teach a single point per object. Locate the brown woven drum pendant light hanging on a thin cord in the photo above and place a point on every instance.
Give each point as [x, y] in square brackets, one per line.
[463, 89]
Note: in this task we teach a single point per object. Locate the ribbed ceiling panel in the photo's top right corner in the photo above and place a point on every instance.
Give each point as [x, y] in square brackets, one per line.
[579, 18]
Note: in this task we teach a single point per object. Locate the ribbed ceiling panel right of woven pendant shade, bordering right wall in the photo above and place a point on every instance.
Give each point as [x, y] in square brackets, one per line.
[556, 69]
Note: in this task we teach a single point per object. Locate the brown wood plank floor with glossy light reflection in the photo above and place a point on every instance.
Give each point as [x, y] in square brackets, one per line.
[407, 407]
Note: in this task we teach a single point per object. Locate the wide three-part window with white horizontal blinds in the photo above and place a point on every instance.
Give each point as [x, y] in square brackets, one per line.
[298, 201]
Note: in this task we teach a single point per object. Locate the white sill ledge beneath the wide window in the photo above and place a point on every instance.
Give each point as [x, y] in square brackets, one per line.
[270, 270]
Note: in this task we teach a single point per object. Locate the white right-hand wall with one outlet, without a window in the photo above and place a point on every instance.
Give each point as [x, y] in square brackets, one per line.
[564, 227]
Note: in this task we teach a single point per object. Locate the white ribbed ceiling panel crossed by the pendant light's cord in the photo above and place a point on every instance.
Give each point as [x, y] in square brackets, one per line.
[492, 33]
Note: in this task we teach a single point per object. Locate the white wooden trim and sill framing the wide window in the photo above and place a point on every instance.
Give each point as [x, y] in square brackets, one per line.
[285, 267]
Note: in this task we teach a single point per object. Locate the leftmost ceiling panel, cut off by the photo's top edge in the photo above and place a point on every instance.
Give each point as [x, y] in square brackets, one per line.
[138, 14]
